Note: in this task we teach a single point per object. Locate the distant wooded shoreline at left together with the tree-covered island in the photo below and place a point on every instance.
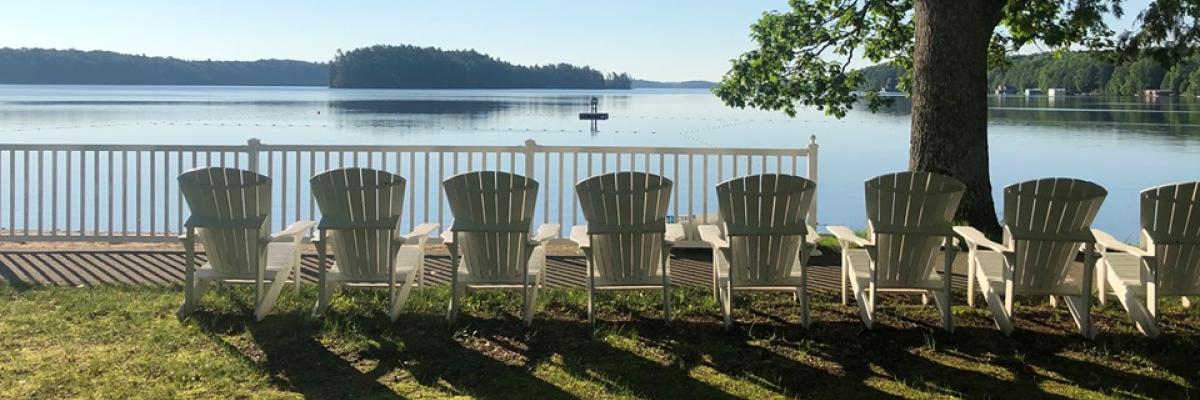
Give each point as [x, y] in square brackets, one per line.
[377, 67]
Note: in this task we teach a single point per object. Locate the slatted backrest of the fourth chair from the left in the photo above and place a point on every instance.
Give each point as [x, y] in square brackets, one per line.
[627, 222]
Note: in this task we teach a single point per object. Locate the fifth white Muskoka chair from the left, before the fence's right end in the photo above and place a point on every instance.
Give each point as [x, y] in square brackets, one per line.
[767, 243]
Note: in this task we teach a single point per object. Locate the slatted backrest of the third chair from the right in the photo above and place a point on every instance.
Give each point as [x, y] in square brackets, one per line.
[909, 216]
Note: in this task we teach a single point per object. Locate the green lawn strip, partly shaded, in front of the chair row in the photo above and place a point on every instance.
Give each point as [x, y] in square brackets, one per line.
[127, 343]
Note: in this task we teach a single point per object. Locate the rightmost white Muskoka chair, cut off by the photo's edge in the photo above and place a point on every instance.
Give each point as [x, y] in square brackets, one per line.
[1167, 265]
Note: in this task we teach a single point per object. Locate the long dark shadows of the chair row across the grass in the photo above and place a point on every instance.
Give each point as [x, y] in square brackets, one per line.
[632, 353]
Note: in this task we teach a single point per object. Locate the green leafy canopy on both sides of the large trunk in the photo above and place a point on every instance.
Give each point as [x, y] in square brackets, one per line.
[803, 56]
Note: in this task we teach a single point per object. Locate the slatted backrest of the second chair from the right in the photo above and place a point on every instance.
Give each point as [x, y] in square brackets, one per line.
[1046, 223]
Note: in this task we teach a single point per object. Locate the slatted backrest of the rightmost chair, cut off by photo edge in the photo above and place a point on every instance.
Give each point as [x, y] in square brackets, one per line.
[1171, 224]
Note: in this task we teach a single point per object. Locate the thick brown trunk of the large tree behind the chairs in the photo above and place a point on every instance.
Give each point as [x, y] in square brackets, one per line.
[950, 100]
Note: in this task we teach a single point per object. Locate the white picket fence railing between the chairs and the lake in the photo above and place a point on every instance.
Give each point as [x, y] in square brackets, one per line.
[121, 193]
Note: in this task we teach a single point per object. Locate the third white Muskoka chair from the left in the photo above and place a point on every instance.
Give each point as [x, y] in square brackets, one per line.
[489, 243]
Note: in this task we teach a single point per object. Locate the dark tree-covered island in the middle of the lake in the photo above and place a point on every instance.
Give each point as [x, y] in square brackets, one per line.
[430, 68]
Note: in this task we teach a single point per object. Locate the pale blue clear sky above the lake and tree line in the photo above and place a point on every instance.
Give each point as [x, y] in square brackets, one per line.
[658, 40]
